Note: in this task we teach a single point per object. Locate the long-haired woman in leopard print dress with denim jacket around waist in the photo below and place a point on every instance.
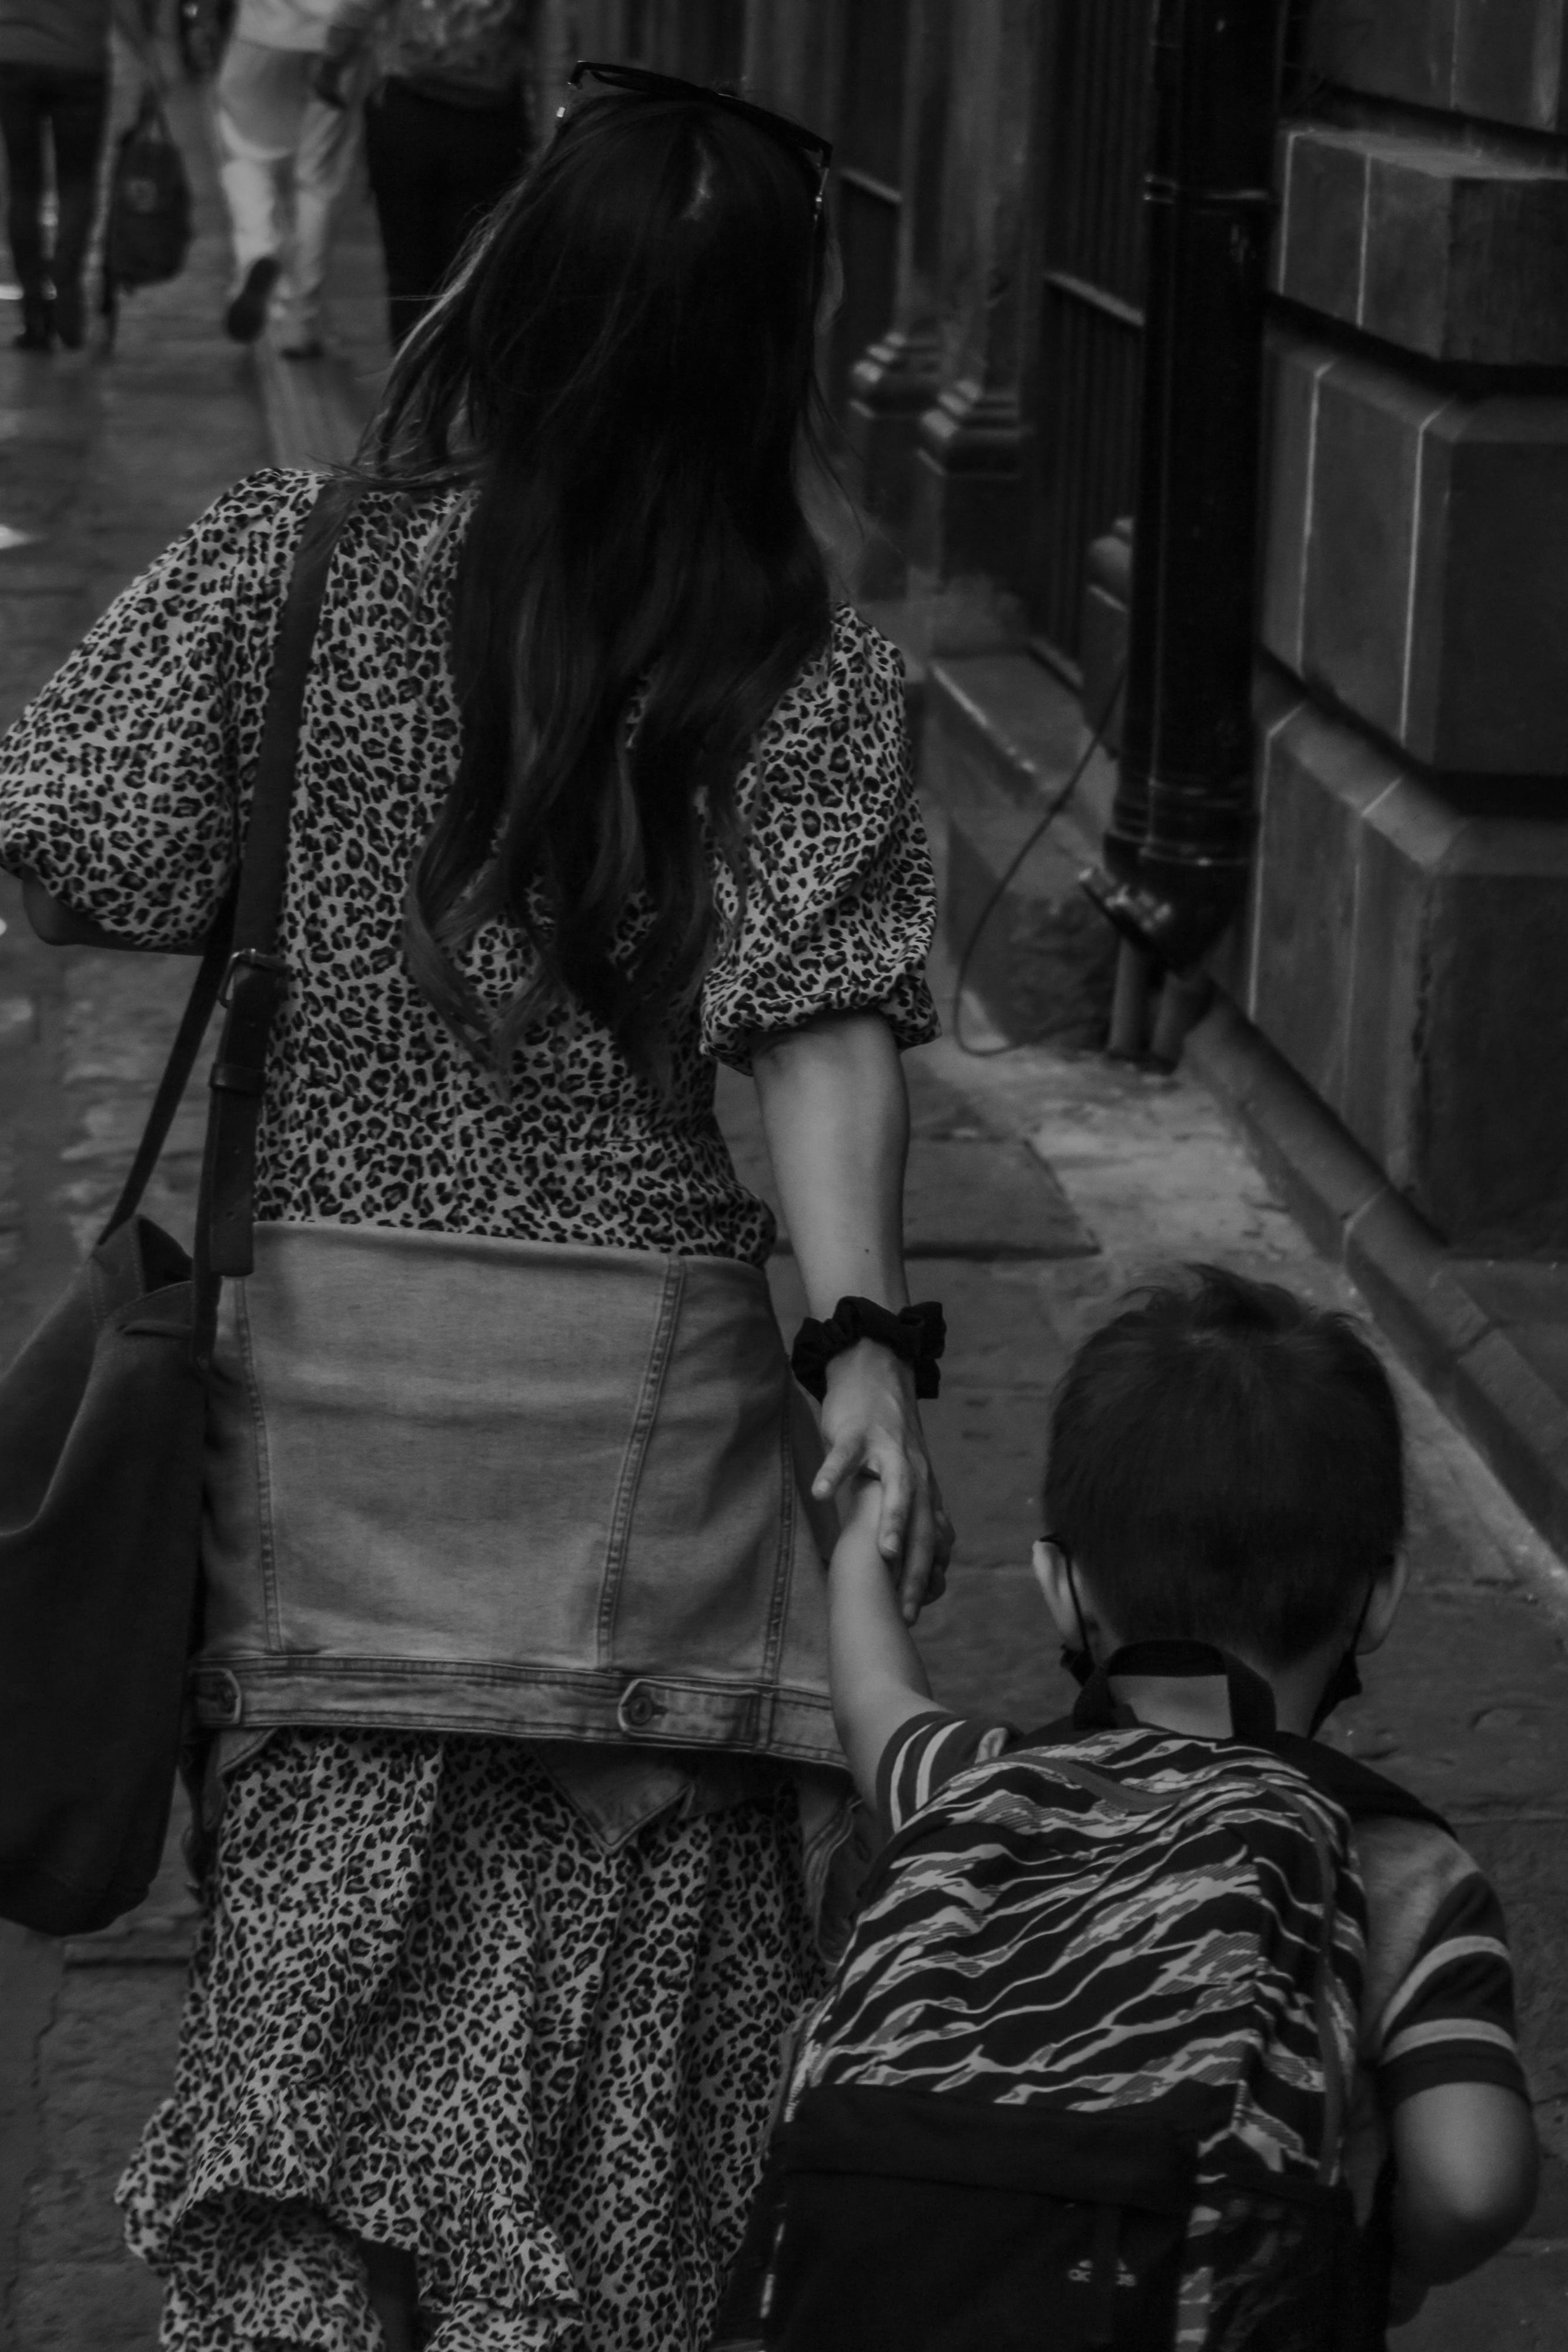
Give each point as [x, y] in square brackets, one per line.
[514, 1631]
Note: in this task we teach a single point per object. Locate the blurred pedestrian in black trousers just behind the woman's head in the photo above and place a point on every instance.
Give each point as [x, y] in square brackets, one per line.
[445, 133]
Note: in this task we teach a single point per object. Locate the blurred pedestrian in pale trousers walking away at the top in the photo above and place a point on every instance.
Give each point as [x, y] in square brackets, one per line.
[286, 159]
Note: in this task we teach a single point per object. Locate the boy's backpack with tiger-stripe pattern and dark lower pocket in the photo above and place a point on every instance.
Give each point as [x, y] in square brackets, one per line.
[1083, 2076]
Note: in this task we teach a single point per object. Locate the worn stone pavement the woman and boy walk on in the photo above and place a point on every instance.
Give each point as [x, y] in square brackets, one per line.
[1040, 1187]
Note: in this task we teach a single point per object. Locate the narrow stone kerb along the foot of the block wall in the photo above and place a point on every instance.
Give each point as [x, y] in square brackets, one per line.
[1353, 1215]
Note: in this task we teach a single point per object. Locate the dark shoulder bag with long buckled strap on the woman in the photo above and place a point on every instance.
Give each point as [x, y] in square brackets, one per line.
[102, 1415]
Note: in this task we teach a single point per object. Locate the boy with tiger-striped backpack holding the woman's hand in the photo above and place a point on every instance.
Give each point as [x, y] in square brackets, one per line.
[1167, 2026]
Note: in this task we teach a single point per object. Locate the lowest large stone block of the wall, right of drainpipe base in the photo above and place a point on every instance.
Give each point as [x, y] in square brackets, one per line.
[1391, 930]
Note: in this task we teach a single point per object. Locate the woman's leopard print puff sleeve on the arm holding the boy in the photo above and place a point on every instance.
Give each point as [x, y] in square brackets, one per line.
[840, 900]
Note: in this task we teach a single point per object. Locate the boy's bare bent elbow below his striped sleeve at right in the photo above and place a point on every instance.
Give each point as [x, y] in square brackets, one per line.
[1466, 2172]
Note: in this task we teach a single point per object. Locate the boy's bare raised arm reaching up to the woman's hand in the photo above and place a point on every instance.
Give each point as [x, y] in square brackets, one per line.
[878, 1676]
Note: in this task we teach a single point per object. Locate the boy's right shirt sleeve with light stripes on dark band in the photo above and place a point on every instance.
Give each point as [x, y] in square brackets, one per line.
[1452, 2014]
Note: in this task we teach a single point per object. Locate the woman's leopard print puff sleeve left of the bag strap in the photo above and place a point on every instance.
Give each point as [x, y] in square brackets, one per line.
[121, 784]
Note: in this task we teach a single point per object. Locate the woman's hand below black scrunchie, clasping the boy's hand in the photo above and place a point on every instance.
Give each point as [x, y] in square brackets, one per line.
[871, 1426]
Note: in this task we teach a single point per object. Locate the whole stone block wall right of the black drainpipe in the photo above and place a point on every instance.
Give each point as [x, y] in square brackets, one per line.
[1412, 881]
